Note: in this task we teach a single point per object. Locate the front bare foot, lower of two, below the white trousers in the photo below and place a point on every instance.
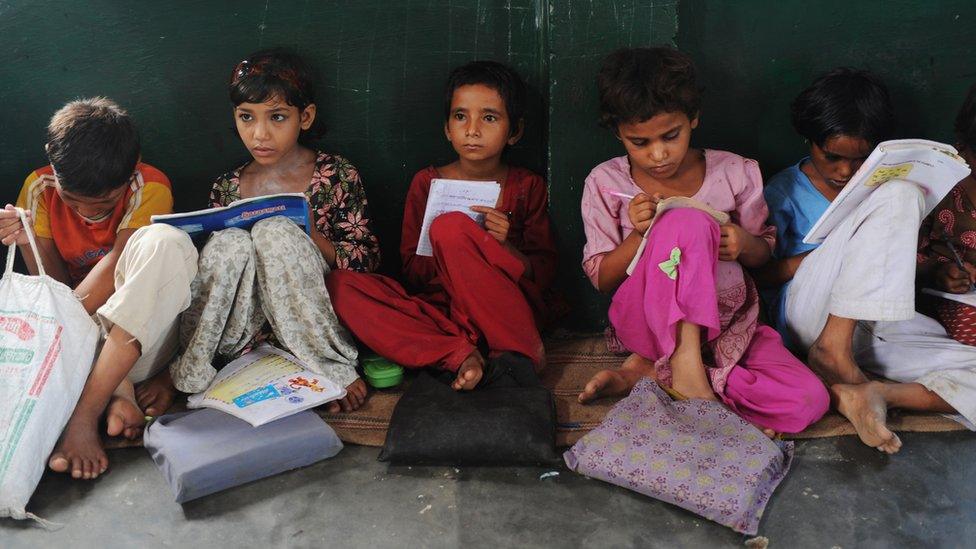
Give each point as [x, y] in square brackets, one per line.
[865, 407]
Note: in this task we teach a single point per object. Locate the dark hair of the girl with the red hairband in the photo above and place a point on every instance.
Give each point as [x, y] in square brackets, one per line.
[276, 73]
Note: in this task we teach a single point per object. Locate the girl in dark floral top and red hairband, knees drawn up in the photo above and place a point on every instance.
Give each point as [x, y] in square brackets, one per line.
[269, 282]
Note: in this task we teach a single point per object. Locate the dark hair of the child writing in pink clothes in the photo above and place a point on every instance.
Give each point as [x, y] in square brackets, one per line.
[636, 84]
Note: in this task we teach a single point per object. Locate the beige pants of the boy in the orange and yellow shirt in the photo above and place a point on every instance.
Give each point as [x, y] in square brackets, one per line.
[152, 288]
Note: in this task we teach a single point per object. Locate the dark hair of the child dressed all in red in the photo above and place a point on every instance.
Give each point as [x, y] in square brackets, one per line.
[497, 76]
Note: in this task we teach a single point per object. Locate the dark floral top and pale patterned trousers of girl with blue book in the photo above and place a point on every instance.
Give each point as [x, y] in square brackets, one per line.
[268, 283]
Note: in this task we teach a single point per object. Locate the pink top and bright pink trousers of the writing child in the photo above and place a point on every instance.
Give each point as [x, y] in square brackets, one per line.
[748, 365]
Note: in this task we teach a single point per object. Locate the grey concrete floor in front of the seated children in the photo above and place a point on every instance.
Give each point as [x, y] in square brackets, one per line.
[838, 494]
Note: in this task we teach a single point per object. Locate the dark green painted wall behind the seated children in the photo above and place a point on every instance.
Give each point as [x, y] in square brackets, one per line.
[382, 65]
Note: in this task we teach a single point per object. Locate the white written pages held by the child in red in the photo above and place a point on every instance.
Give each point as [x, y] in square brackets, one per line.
[455, 195]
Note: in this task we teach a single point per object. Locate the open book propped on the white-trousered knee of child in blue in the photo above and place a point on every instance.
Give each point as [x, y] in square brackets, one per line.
[935, 167]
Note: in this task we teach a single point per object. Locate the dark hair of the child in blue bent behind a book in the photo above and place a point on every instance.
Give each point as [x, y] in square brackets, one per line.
[844, 101]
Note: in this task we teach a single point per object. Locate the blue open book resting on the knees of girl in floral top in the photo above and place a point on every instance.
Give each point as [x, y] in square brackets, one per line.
[241, 214]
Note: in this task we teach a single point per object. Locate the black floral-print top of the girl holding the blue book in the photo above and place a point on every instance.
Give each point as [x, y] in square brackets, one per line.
[338, 207]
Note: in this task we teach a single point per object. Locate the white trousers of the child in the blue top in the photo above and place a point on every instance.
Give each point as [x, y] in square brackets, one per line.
[865, 270]
